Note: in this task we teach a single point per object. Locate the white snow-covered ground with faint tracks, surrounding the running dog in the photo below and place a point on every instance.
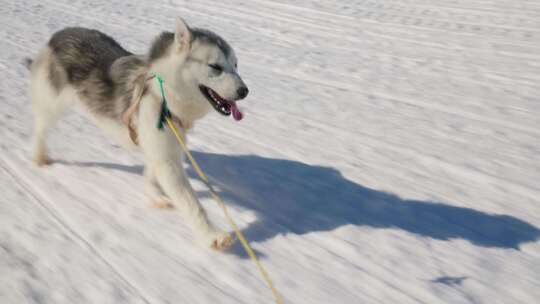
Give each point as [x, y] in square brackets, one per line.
[390, 153]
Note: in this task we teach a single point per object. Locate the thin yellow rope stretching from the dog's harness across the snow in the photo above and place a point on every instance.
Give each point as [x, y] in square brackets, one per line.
[245, 244]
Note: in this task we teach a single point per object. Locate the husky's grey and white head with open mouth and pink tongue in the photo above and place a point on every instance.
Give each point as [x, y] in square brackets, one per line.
[205, 68]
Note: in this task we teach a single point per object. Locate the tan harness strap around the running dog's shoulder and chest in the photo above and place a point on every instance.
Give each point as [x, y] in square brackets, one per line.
[138, 92]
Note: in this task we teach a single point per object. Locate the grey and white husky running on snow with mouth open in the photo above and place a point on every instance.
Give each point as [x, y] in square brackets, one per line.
[85, 66]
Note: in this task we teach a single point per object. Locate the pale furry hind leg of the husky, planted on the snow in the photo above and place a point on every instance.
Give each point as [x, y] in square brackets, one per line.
[50, 97]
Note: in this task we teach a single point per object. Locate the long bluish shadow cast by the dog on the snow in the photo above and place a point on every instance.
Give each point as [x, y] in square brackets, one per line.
[294, 197]
